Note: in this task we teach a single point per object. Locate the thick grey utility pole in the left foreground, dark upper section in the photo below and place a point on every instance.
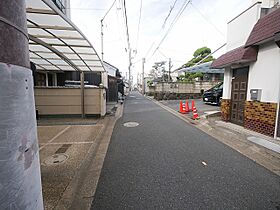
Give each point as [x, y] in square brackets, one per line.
[20, 177]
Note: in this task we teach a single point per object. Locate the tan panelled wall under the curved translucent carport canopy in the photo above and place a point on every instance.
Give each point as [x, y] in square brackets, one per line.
[64, 101]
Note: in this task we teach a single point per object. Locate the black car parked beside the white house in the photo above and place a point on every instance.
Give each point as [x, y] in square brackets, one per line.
[214, 94]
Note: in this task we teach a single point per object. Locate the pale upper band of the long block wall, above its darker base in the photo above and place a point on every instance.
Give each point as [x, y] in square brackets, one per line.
[177, 87]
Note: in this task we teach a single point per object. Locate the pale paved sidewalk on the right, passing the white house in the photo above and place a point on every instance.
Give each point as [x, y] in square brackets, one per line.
[257, 147]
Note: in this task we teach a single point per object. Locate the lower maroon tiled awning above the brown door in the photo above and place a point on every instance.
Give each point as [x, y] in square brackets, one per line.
[238, 55]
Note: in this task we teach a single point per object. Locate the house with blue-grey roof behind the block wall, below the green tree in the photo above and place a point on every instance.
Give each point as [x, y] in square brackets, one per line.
[209, 74]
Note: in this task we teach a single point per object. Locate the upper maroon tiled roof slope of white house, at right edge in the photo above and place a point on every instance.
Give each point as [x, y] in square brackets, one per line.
[265, 28]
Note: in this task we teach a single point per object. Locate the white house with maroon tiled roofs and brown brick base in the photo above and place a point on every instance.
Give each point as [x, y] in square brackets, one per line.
[251, 90]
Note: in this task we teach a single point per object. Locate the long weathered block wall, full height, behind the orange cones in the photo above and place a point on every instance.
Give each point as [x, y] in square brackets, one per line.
[180, 90]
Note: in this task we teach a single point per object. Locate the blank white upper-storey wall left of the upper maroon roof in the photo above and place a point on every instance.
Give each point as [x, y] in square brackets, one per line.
[238, 29]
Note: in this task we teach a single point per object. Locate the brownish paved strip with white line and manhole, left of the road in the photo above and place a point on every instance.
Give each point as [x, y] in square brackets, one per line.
[71, 150]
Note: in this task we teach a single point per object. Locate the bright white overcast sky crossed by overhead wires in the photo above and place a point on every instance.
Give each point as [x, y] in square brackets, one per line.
[203, 23]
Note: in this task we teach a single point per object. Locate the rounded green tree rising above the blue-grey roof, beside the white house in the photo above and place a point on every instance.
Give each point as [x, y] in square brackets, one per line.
[198, 55]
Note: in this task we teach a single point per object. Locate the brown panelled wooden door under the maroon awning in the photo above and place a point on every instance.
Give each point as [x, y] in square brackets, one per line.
[238, 95]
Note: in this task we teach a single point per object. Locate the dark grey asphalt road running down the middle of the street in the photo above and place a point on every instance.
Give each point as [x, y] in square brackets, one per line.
[165, 163]
